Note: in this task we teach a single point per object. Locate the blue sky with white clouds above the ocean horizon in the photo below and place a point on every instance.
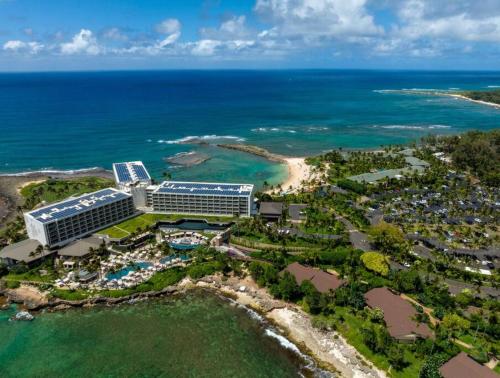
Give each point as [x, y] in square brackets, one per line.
[131, 34]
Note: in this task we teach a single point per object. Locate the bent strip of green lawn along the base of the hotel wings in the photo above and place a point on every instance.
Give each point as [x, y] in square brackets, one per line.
[142, 221]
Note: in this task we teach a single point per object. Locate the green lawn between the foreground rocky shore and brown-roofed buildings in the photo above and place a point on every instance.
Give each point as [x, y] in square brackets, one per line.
[351, 330]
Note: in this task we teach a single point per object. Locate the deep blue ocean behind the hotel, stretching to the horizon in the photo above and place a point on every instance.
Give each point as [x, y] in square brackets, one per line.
[66, 121]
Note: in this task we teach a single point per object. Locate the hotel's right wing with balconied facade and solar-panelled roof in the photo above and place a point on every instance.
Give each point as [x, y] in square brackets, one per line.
[200, 198]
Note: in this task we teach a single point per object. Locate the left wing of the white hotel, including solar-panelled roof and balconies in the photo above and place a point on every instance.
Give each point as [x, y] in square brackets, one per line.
[60, 223]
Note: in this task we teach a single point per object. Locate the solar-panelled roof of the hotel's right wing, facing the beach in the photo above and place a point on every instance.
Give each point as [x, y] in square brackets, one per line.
[205, 188]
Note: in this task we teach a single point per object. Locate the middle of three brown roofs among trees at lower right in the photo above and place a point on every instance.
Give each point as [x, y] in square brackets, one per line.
[398, 315]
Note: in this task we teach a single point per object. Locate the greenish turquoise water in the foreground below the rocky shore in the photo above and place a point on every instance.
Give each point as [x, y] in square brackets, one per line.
[185, 337]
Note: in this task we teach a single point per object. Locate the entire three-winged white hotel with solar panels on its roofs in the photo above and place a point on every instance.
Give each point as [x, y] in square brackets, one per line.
[60, 223]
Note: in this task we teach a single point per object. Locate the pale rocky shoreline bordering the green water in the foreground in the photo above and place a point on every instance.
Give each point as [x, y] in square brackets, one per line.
[329, 350]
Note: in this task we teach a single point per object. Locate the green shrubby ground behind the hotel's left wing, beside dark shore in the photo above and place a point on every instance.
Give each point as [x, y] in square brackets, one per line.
[57, 189]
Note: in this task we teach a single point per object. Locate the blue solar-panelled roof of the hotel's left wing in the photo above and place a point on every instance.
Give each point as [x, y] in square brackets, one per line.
[75, 205]
